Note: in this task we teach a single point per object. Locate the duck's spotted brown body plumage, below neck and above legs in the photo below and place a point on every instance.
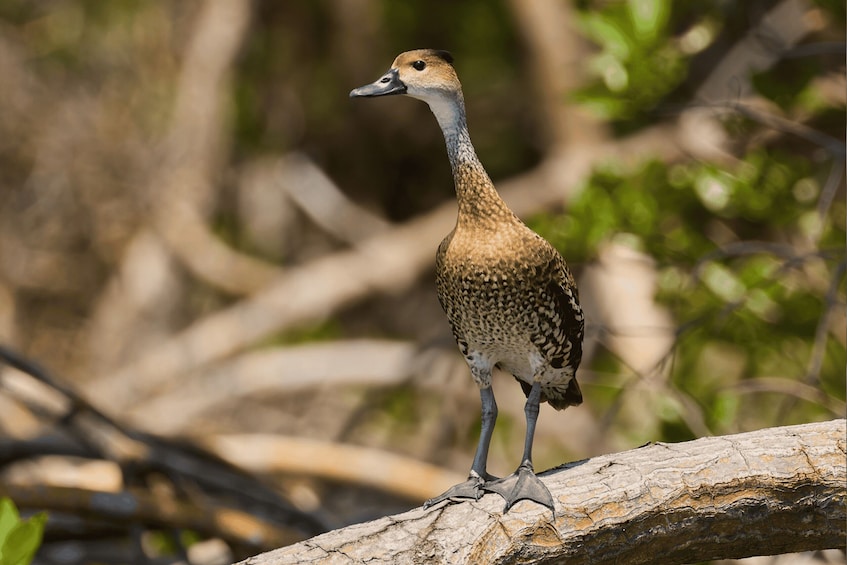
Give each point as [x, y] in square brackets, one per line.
[512, 302]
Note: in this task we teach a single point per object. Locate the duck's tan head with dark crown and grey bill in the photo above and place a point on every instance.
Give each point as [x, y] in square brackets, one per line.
[426, 74]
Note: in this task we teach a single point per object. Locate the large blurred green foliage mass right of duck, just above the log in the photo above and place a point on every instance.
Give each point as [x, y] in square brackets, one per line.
[751, 295]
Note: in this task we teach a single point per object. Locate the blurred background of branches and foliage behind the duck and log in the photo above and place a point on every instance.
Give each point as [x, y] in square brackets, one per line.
[207, 244]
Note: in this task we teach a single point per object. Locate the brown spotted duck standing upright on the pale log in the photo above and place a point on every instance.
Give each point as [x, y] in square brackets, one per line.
[509, 296]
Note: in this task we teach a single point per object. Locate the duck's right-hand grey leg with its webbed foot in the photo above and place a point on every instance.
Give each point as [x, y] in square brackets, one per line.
[523, 484]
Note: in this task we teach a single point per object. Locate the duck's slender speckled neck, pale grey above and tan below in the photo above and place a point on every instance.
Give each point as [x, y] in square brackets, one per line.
[477, 198]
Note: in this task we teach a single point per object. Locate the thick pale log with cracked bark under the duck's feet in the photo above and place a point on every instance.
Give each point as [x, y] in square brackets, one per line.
[767, 492]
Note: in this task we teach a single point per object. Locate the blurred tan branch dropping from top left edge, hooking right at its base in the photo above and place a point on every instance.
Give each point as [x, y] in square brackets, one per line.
[183, 190]
